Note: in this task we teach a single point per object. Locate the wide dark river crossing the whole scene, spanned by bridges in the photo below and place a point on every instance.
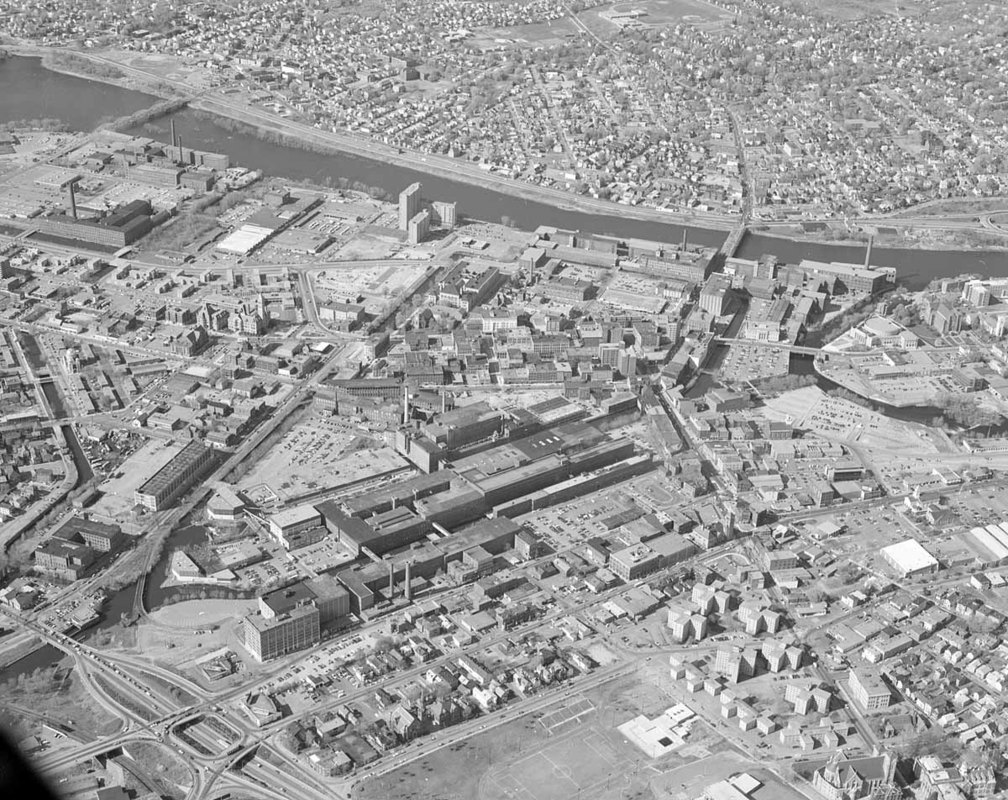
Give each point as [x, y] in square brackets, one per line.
[32, 92]
